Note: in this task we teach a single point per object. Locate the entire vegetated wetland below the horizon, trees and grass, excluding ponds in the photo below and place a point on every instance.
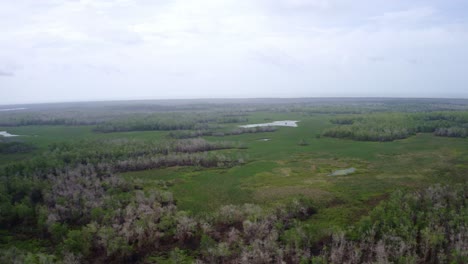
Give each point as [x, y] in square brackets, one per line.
[141, 182]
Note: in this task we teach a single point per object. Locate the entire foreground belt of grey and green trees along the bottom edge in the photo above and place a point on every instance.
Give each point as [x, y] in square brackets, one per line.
[91, 216]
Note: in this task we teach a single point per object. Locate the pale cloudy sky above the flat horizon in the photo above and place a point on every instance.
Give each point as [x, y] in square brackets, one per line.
[79, 50]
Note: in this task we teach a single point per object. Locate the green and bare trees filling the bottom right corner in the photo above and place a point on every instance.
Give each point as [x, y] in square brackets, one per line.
[429, 226]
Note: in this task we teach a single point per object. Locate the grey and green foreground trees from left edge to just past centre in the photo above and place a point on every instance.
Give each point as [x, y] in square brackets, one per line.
[92, 216]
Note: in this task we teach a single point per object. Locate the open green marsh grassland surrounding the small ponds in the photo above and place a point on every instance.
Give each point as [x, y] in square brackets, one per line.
[280, 169]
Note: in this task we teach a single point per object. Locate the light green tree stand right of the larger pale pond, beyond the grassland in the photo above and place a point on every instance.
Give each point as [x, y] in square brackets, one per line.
[392, 126]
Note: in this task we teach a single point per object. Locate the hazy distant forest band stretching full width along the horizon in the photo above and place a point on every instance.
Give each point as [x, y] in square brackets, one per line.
[176, 115]
